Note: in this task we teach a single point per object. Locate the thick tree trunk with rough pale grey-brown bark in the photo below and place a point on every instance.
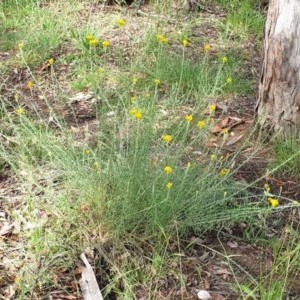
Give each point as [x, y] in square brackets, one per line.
[278, 104]
